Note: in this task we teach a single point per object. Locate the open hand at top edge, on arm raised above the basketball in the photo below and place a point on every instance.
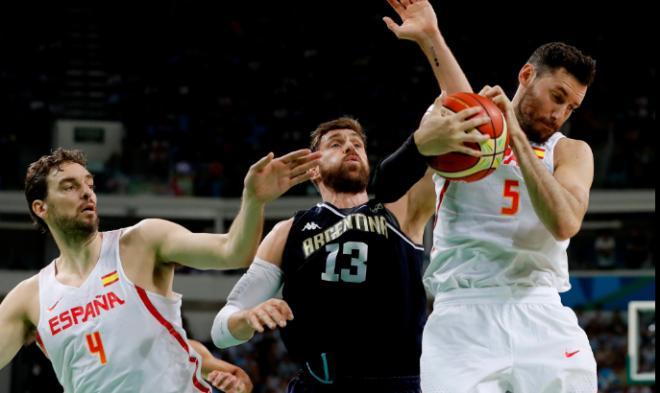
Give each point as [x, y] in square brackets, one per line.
[417, 17]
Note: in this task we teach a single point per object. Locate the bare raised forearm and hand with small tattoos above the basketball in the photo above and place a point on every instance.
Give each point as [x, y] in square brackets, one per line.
[420, 24]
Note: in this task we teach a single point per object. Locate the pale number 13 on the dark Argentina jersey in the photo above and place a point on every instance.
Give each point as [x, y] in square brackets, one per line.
[356, 273]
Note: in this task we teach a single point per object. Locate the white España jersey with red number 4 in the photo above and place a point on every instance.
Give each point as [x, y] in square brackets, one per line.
[110, 335]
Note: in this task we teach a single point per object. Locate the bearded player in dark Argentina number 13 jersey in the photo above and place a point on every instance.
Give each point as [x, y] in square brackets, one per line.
[350, 268]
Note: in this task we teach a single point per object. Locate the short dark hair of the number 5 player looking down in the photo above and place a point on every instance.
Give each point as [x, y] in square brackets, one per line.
[556, 55]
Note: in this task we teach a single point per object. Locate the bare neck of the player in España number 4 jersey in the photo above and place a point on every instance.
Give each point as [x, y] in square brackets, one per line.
[78, 256]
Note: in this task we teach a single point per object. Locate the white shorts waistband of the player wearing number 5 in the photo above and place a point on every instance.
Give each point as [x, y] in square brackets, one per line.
[499, 295]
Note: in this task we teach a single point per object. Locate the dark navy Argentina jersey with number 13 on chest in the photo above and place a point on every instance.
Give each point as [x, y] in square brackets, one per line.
[354, 283]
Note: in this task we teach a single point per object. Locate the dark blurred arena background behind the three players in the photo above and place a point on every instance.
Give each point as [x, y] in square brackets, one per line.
[174, 100]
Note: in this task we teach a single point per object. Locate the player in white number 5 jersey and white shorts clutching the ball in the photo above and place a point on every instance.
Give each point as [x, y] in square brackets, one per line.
[499, 257]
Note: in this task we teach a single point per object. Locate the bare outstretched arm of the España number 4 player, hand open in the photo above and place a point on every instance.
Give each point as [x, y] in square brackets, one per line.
[266, 180]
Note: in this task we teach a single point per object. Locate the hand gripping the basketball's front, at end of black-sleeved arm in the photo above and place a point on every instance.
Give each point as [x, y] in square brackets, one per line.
[441, 131]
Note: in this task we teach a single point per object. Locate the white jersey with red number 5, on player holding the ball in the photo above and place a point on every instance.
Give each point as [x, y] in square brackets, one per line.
[487, 233]
